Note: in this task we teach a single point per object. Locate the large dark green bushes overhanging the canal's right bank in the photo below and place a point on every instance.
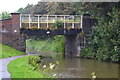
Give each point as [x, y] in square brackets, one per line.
[105, 38]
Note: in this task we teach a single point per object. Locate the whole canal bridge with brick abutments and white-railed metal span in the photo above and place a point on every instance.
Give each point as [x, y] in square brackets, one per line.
[14, 29]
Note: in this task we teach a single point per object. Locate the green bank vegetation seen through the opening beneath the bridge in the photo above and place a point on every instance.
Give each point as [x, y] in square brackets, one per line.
[47, 44]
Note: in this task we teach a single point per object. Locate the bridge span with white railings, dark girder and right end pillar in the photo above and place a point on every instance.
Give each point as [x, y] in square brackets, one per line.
[55, 24]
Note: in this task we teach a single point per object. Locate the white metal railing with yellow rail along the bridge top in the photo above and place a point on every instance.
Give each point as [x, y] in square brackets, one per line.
[35, 20]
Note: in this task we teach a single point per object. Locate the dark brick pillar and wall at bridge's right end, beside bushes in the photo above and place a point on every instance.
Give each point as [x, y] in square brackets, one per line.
[87, 25]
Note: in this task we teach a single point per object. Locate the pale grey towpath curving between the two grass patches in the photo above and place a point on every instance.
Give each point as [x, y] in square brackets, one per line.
[3, 66]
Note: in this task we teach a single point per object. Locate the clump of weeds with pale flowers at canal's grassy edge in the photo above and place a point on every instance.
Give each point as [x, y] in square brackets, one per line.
[38, 64]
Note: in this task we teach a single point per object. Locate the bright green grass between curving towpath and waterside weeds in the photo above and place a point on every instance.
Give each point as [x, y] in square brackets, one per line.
[19, 68]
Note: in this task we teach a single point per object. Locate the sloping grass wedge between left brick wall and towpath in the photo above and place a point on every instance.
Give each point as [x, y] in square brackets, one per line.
[8, 51]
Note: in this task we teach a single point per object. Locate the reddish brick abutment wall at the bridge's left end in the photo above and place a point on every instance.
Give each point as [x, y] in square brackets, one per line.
[9, 29]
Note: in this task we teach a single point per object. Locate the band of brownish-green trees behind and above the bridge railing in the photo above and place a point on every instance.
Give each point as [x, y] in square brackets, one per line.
[68, 8]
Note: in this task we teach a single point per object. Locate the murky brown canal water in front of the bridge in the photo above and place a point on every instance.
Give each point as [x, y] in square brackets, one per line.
[81, 68]
